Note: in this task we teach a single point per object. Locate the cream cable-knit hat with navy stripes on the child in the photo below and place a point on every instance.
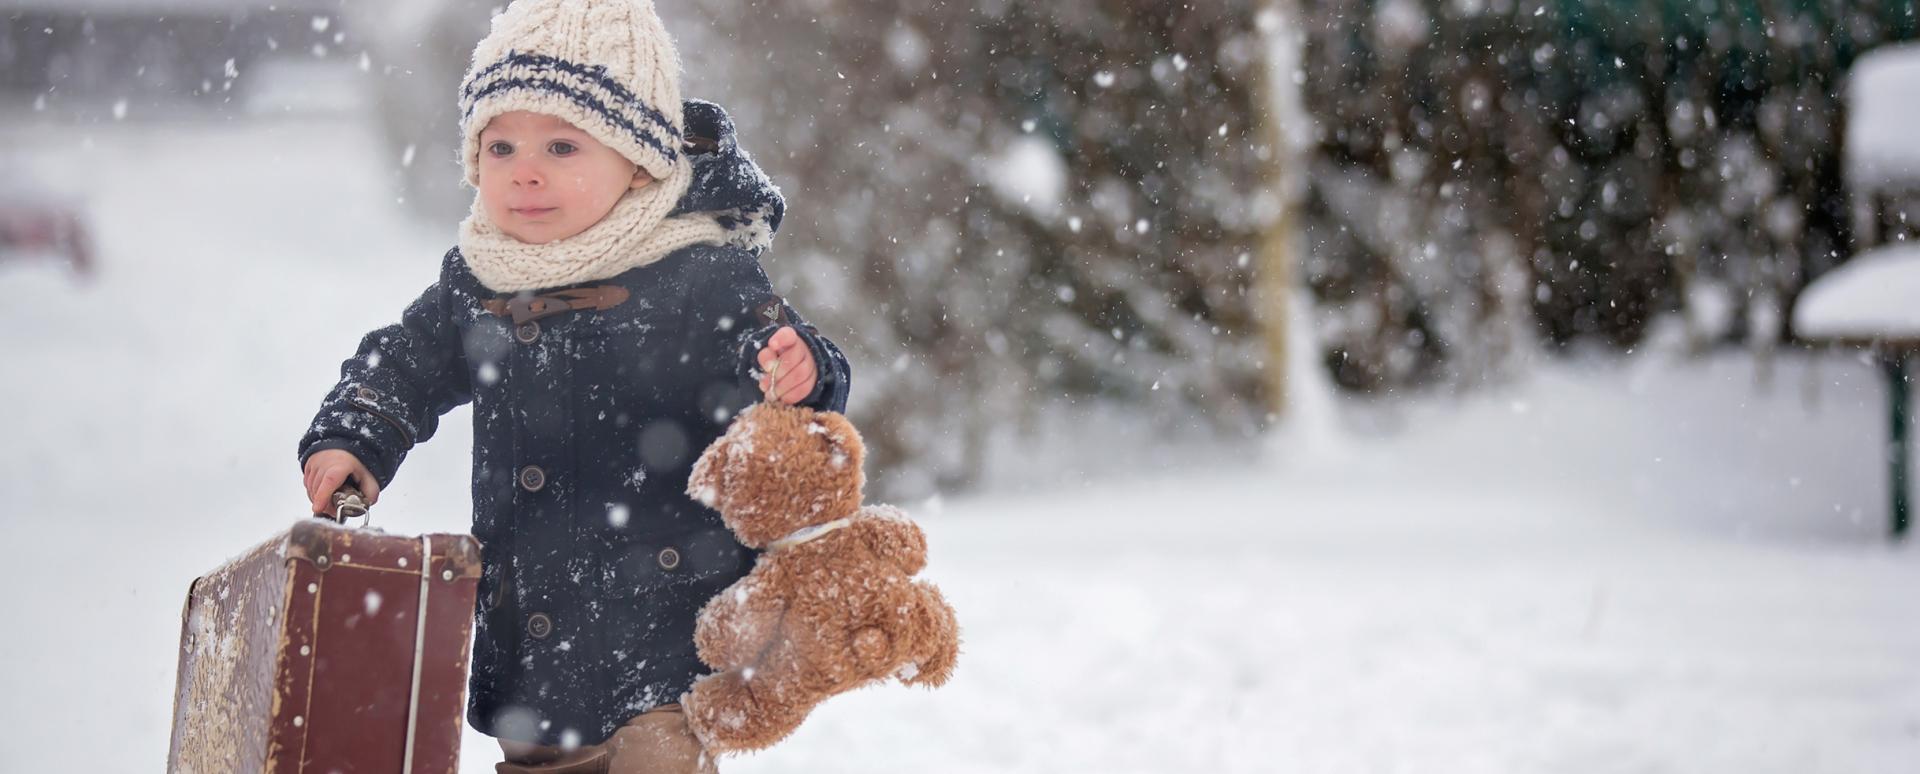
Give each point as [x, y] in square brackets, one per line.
[606, 66]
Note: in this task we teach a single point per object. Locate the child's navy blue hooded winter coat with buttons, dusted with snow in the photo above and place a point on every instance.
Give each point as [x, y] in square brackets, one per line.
[587, 427]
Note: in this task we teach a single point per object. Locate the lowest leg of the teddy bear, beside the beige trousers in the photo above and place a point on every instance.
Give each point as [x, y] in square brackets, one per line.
[732, 714]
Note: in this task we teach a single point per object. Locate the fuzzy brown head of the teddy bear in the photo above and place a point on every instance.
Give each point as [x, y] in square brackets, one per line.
[780, 470]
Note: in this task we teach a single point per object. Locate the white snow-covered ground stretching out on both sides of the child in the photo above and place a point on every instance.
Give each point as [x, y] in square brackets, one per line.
[1644, 566]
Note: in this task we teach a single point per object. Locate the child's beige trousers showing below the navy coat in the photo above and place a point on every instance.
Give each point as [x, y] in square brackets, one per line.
[658, 742]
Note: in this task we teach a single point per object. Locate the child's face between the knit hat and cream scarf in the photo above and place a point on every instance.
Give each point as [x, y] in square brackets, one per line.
[542, 180]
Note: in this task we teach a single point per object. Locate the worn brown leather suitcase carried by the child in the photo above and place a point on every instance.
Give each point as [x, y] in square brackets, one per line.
[327, 650]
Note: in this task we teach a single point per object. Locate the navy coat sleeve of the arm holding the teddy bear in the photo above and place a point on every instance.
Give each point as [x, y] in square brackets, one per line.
[740, 306]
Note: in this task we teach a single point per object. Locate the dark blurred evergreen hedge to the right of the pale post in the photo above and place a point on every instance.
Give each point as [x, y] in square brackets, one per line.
[1589, 164]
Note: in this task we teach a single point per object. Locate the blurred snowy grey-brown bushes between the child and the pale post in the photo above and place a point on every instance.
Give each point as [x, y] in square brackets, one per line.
[1003, 206]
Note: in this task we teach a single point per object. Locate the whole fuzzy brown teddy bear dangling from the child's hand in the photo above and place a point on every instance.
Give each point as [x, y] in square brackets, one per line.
[832, 602]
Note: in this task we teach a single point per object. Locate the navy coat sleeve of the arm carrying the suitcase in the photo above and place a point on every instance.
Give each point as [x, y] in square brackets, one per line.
[396, 387]
